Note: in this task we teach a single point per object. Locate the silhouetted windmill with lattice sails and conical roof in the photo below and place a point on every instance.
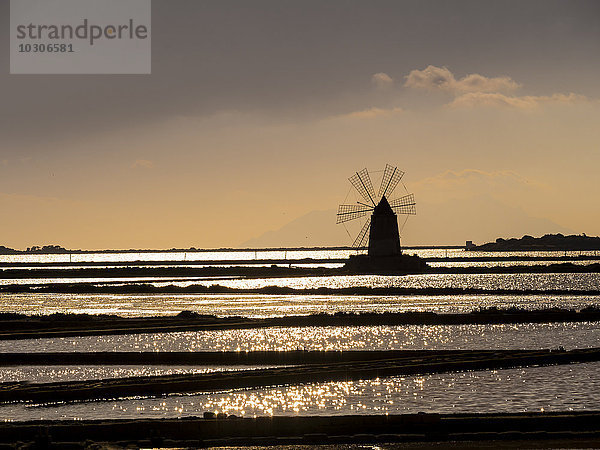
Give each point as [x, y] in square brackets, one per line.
[381, 226]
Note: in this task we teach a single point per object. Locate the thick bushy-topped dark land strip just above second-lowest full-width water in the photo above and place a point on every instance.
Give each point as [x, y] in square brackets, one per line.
[18, 326]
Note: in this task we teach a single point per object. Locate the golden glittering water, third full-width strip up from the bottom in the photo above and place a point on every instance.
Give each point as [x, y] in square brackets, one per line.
[259, 305]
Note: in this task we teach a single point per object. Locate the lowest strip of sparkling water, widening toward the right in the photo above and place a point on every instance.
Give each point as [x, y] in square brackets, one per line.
[508, 390]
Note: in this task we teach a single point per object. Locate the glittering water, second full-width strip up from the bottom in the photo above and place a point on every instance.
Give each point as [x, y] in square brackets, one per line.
[517, 336]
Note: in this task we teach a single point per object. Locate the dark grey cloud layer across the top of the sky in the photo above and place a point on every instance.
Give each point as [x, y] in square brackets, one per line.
[295, 58]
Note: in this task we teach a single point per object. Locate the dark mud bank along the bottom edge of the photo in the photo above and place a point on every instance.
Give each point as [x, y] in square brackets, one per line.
[540, 430]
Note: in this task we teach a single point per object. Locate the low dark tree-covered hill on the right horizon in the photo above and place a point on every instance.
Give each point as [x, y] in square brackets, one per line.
[547, 242]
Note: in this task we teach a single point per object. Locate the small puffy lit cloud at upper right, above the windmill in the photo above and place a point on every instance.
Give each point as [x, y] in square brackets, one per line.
[441, 78]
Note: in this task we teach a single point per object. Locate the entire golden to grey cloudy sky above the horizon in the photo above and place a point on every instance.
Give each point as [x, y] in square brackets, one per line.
[257, 112]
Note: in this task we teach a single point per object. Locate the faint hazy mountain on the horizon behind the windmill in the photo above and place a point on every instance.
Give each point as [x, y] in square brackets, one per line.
[479, 219]
